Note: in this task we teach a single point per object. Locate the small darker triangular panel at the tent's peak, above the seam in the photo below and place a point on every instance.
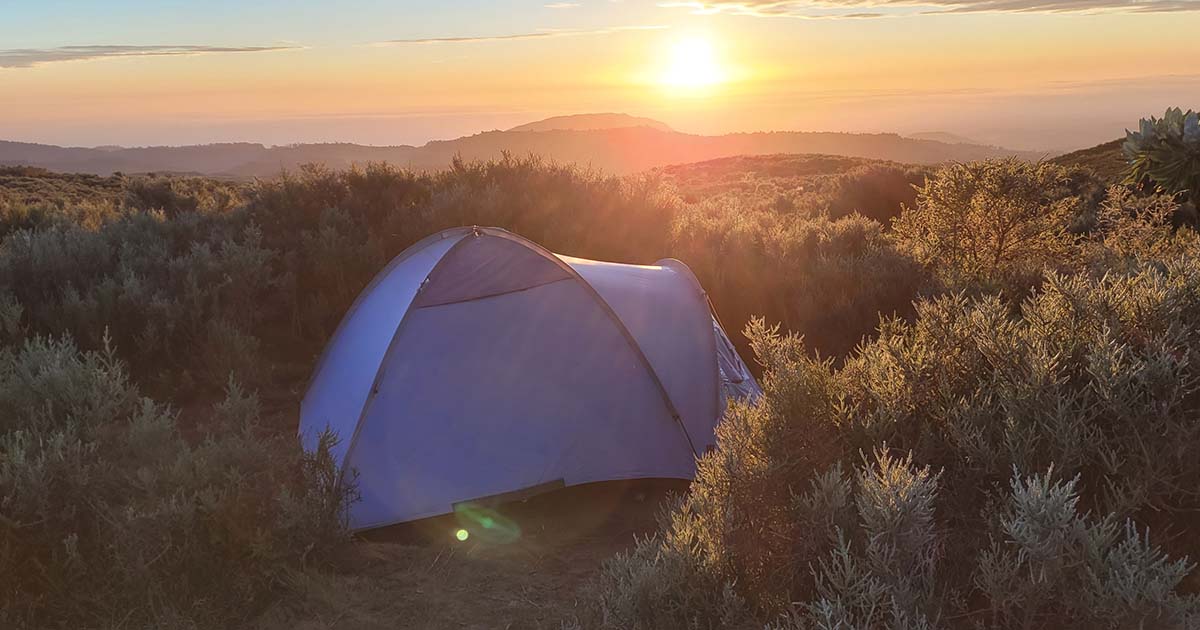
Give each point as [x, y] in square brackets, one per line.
[484, 266]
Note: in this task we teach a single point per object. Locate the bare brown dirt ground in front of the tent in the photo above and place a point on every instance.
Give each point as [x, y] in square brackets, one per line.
[422, 577]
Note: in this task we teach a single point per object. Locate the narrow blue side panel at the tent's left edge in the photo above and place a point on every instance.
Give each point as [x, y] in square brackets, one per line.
[343, 383]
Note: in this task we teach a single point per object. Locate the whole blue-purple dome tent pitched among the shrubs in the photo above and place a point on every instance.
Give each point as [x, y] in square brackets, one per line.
[478, 364]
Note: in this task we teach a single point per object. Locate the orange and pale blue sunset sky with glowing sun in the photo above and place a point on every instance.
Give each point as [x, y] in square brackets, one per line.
[1045, 75]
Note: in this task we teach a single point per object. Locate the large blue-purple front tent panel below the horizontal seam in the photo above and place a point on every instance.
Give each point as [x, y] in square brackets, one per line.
[488, 397]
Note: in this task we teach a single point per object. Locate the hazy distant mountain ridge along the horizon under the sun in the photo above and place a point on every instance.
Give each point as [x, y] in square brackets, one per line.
[620, 151]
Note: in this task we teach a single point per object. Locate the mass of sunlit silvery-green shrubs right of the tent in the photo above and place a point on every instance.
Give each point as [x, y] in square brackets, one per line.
[995, 461]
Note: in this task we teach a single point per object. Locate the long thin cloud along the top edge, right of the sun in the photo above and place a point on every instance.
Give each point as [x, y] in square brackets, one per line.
[855, 9]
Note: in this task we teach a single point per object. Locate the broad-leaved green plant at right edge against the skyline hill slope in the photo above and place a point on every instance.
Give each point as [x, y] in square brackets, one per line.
[1167, 152]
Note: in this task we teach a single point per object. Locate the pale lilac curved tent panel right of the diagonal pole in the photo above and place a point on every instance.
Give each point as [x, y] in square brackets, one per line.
[670, 320]
